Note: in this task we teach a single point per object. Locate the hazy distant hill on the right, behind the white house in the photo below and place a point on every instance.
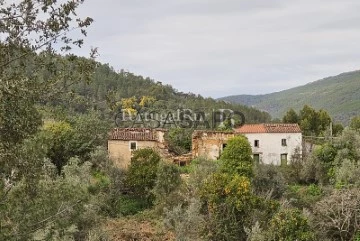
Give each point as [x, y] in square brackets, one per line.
[339, 95]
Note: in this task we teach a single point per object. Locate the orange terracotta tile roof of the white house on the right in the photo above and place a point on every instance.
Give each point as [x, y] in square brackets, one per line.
[269, 128]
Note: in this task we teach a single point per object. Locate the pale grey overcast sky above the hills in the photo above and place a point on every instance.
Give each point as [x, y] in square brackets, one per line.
[229, 47]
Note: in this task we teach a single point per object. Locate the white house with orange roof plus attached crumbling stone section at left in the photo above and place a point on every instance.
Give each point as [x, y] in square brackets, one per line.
[271, 143]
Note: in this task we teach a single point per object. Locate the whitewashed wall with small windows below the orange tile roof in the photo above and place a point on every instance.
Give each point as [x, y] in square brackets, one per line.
[270, 148]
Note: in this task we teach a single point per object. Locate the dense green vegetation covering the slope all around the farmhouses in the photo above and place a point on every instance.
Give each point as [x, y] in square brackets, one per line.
[57, 183]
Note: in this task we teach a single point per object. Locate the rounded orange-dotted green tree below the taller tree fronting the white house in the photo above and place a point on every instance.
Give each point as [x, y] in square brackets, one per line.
[229, 202]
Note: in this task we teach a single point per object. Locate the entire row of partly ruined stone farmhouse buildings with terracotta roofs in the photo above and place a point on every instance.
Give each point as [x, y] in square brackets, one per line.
[271, 143]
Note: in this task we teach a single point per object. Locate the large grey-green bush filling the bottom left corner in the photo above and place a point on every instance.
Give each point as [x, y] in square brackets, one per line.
[61, 208]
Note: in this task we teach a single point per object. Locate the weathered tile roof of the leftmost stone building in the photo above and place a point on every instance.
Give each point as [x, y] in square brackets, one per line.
[133, 134]
